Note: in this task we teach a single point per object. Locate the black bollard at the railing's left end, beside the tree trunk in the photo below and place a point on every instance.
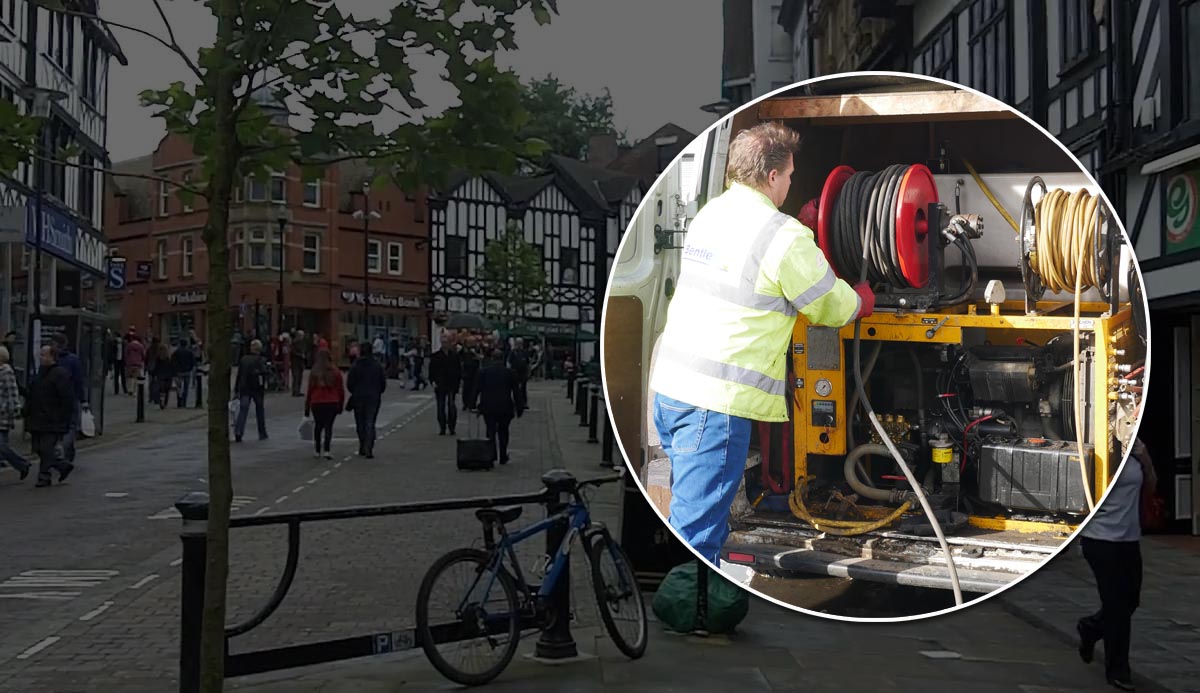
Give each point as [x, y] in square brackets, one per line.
[195, 510]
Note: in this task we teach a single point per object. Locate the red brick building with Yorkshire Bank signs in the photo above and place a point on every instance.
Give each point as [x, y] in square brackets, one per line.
[323, 246]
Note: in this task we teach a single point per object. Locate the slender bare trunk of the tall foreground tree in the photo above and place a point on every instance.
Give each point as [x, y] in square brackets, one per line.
[225, 161]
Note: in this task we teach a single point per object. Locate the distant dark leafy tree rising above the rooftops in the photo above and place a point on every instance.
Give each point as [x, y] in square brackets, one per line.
[566, 119]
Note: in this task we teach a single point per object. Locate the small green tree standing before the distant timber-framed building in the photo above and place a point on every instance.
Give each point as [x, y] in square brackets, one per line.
[514, 273]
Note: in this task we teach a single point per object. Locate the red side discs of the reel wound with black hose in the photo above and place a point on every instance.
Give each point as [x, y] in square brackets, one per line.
[917, 192]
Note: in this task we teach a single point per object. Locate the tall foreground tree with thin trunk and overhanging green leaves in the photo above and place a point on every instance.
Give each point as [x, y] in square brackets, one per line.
[340, 80]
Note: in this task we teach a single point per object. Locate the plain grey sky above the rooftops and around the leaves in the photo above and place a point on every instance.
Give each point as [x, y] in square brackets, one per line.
[659, 61]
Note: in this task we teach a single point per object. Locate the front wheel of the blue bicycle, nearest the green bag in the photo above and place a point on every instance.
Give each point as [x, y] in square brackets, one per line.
[620, 599]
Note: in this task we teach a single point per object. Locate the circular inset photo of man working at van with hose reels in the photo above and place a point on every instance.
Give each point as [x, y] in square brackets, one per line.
[875, 346]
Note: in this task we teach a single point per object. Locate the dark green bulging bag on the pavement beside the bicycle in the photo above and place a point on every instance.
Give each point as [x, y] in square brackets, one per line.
[675, 604]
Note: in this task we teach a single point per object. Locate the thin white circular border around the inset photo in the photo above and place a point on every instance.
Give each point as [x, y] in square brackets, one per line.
[1117, 218]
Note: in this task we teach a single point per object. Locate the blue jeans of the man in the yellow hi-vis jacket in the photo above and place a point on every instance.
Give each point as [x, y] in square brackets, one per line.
[709, 457]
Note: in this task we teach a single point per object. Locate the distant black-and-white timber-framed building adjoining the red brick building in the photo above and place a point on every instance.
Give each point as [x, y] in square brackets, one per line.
[574, 216]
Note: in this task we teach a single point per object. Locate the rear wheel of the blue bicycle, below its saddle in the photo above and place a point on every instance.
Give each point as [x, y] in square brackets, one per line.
[467, 618]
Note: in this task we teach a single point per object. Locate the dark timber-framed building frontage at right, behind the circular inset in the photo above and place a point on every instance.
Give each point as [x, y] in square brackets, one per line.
[1117, 81]
